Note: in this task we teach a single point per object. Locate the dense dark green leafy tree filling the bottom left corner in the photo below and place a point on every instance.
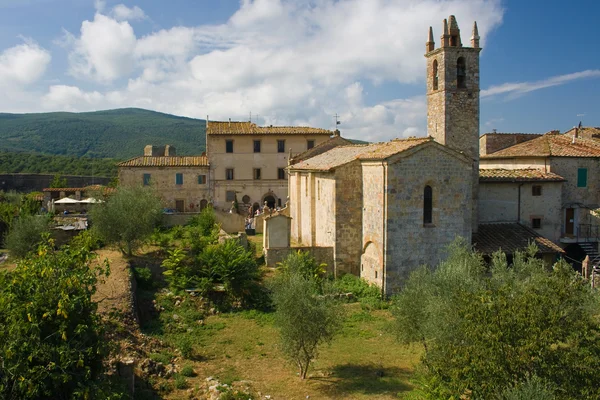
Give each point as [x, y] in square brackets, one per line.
[52, 345]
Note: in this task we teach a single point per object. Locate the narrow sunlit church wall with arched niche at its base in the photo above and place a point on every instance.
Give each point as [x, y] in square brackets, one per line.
[374, 214]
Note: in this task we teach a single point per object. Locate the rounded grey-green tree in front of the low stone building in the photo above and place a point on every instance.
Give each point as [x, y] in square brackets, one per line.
[128, 218]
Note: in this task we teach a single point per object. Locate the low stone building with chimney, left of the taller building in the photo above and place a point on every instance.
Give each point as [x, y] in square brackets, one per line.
[182, 181]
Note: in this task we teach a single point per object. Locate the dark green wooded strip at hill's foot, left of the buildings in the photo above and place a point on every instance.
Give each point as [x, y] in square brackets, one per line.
[32, 163]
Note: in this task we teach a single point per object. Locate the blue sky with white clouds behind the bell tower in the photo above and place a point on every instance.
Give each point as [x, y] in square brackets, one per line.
[299, 62]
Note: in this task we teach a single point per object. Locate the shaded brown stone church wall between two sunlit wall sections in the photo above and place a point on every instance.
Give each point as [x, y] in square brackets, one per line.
[348, 218]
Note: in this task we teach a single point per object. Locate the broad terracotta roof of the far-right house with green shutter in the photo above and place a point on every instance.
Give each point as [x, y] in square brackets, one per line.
[550, 144]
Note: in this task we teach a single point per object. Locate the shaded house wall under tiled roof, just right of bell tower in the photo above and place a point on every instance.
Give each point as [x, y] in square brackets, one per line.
[499, 202]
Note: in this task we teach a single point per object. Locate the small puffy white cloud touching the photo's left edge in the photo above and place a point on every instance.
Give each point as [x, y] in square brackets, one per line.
[23, 64]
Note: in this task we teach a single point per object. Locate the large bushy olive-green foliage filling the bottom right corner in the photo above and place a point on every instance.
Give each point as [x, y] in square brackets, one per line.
[486, 330]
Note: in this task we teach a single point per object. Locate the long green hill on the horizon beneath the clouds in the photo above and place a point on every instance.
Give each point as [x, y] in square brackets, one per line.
[118, 134]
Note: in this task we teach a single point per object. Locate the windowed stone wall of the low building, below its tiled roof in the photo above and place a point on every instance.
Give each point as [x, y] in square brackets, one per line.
[162, 179]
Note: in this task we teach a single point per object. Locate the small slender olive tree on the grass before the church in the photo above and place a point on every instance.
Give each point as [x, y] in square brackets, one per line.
[305, 318]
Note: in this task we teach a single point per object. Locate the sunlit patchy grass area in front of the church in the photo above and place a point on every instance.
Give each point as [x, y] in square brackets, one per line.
[363, 362]
